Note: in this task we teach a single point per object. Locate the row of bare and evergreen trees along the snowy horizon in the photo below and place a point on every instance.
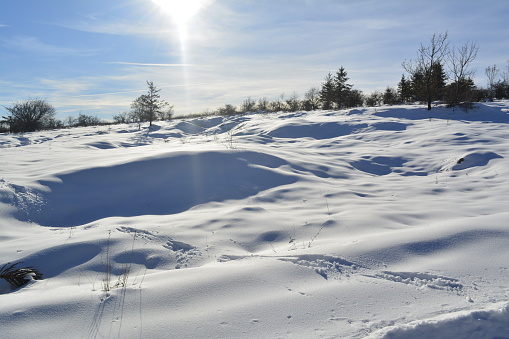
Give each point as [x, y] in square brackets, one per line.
[440, 73]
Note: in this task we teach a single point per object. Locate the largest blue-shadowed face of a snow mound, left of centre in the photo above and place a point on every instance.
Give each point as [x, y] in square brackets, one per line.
[156, 186]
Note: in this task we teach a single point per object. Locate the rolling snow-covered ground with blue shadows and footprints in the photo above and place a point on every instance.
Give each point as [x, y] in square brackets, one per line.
[388, 222]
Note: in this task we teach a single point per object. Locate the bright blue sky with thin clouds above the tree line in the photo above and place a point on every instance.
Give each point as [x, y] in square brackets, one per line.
[96, 56]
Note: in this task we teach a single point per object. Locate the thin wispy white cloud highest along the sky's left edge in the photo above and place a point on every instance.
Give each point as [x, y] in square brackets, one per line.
[34, 45]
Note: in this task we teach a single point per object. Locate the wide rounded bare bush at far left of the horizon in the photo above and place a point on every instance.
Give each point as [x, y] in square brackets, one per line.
[29, 115]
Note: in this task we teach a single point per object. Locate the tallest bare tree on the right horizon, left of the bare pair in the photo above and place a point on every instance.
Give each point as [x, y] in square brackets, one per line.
[428, 57]
